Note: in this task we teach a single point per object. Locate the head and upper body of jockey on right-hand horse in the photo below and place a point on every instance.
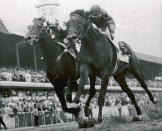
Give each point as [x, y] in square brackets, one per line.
[102, 20]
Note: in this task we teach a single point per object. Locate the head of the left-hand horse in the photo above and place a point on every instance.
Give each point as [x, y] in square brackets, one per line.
[36, 31]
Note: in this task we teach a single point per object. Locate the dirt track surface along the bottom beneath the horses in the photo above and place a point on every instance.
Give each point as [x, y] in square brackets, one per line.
[149, 125]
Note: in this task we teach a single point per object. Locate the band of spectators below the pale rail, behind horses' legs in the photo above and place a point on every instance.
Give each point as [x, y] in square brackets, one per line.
[14, 105]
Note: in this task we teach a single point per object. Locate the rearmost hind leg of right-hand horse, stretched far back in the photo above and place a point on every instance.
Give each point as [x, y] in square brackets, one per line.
[143, 84]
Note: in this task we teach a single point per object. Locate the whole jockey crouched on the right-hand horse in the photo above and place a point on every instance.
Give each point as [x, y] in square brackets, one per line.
[106, 25]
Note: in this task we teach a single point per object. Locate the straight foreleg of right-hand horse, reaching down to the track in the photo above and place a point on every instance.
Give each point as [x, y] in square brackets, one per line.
[101, 99]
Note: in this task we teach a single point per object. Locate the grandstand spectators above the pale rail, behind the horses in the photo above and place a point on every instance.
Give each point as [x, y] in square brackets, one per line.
[30, 75]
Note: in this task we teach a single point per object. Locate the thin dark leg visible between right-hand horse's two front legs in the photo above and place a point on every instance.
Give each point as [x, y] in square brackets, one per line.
[92, 92]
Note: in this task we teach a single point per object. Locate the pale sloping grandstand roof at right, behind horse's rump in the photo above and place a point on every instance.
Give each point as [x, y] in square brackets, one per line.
[149, 58]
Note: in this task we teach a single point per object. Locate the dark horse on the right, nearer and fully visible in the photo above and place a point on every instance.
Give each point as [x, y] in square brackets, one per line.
[97, 56]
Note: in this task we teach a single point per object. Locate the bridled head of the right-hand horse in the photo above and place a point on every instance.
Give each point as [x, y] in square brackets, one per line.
[77, 27]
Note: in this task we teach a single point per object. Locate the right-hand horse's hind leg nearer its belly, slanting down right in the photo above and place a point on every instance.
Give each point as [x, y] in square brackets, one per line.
[122, 82]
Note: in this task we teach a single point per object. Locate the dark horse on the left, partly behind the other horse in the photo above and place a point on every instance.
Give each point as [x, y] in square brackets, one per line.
[59, 72]
